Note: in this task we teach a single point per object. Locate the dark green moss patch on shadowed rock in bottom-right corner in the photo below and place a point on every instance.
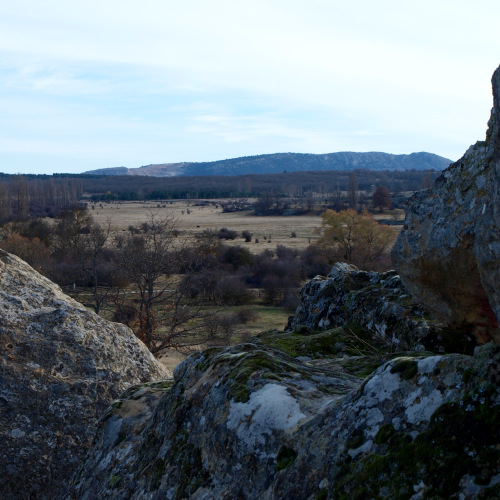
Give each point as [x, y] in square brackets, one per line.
[461, 439]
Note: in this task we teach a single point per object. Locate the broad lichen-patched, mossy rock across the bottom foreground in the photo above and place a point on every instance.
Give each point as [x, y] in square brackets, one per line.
[251, 422]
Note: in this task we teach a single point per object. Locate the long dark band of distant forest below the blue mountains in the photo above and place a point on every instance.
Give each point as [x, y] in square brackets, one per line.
[23, 196]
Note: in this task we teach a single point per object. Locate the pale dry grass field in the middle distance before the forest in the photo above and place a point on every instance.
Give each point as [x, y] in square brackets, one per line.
[191, 219]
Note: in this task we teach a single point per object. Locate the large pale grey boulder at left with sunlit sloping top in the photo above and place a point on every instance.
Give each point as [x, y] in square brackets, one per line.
[61, 366]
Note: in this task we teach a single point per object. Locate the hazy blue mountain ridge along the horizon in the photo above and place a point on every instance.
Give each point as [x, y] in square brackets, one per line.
[287, 162]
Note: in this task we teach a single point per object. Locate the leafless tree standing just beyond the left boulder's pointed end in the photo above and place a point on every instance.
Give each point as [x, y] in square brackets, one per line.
[167, 314]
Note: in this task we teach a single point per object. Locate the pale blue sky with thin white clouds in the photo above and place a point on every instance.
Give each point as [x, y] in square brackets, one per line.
[97, 84]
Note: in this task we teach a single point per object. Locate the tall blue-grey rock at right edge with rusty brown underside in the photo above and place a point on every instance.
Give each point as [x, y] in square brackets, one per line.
[448, 255]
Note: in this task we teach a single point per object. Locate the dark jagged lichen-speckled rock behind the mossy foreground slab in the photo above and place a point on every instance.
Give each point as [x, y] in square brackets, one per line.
[376, 303]
